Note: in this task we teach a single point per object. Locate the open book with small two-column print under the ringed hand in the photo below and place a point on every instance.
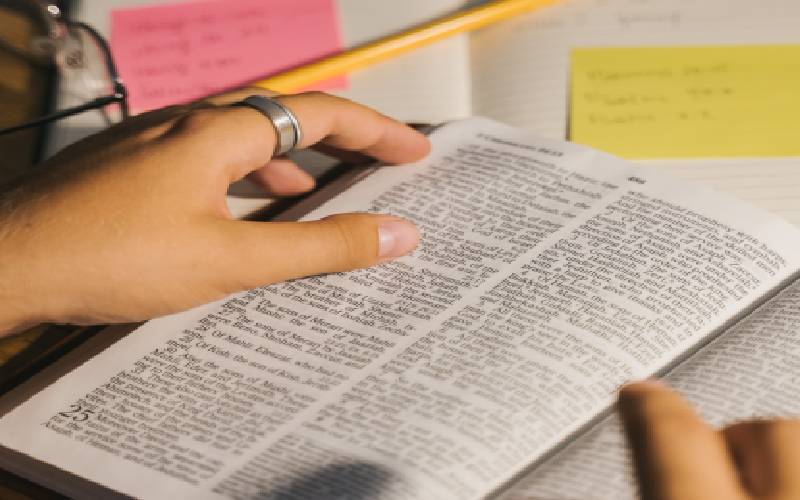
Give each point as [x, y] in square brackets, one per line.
[482, 365]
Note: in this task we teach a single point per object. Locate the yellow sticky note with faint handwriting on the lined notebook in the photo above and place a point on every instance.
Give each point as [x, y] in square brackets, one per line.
[684, 102]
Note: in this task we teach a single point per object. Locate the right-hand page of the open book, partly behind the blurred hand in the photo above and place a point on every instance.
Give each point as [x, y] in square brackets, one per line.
[749, 372]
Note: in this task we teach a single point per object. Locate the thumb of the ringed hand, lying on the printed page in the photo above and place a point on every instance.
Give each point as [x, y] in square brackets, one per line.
[261, 253]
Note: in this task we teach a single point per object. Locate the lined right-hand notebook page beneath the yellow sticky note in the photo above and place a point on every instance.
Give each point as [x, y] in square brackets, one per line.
[520, 72]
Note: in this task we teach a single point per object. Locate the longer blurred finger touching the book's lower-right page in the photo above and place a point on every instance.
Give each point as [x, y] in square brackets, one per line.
[677, 455]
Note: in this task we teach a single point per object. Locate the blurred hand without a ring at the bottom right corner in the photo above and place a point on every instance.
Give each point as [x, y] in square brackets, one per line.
[679, 457]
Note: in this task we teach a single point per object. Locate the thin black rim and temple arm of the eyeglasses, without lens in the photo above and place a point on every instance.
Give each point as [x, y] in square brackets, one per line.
[119, 94]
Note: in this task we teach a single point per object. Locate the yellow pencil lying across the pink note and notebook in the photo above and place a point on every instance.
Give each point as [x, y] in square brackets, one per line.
[394, 45]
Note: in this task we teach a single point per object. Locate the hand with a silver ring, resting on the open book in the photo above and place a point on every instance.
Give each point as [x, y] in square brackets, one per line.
[132, 223]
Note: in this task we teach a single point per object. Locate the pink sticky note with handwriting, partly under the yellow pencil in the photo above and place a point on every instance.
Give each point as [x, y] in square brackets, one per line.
[168, 54]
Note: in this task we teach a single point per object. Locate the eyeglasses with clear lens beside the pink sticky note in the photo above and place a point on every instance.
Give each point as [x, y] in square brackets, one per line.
[82, 58]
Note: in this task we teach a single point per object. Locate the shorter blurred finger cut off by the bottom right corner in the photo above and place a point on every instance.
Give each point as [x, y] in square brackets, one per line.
[768, 456]
